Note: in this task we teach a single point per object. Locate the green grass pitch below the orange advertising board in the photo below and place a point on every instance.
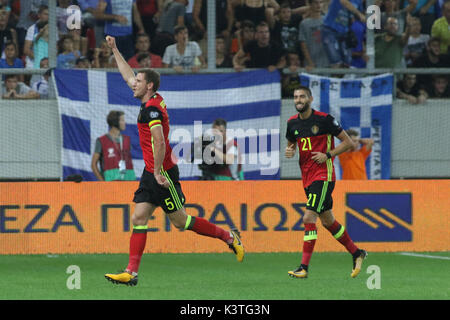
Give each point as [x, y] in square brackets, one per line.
[262, 276]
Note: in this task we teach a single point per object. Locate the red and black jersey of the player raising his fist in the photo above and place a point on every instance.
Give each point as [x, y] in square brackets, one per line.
[154, 113]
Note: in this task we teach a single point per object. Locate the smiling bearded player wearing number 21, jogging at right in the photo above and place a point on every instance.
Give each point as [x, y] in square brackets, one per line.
[313, 131]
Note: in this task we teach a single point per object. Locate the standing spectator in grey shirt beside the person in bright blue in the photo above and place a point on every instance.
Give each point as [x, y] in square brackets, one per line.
[310, 37]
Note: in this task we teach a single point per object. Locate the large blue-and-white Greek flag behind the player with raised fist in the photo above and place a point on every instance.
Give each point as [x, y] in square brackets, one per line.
[248, 101]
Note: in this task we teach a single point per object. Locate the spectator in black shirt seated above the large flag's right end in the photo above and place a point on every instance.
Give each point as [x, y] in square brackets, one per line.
[262, 52]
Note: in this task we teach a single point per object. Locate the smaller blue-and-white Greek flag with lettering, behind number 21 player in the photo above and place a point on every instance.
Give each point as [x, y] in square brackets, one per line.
[362, 104]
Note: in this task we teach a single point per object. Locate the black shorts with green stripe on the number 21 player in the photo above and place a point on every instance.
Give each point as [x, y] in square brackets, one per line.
[319, 197]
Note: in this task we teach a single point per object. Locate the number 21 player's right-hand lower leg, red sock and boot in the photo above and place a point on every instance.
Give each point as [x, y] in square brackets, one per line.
[340, 234]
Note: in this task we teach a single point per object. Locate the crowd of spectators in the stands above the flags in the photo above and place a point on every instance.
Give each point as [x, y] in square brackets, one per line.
[269, 34]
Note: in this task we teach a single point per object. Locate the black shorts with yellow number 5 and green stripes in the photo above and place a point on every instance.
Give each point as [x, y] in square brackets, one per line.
[170, 200]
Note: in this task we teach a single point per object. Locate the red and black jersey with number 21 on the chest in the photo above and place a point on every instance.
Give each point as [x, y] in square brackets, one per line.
[315, 134]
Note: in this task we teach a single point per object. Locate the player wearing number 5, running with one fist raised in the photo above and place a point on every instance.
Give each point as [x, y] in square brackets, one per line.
[159, 185]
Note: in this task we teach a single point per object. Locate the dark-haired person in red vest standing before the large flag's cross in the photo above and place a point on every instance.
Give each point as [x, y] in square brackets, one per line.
[113, 151]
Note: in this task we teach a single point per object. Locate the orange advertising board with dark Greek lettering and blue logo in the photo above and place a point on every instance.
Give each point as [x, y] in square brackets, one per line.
[95, 217]
